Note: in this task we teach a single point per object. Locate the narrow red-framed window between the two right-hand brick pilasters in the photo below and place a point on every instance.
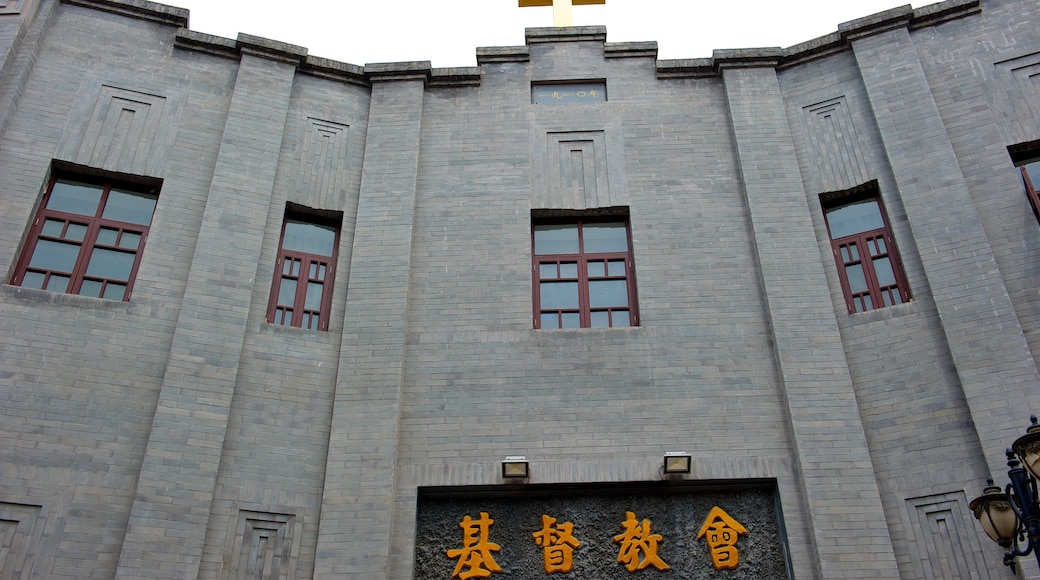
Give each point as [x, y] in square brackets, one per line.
[869, 265]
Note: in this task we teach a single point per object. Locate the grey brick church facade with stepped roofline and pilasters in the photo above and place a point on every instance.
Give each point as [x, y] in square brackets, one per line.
[175, 432]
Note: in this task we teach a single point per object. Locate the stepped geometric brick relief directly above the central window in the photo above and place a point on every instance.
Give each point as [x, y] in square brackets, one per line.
[578, 173]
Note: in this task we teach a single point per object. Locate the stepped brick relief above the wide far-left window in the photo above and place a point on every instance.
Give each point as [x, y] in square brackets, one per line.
[125, 130]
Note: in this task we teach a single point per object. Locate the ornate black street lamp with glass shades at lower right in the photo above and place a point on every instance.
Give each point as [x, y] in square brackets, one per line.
[1012, 518]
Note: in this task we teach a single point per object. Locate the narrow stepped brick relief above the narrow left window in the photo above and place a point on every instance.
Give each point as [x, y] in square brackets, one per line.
[323, 169]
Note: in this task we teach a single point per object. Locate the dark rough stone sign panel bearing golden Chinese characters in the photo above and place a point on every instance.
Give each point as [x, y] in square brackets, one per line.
[661, 540]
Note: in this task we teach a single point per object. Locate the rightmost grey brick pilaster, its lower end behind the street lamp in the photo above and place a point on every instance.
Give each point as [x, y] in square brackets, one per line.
[990, 351]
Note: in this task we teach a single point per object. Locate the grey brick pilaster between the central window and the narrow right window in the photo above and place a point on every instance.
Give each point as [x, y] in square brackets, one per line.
[827, 431]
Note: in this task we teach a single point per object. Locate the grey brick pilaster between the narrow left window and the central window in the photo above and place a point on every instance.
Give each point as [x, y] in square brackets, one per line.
[357, 508]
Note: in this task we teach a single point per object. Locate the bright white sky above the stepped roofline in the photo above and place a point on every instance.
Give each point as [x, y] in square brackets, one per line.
[448, 33]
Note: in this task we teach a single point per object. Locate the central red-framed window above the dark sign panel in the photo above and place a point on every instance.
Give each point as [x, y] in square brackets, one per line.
[584, 272]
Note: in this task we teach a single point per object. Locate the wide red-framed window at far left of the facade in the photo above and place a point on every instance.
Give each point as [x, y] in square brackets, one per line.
[88, 239]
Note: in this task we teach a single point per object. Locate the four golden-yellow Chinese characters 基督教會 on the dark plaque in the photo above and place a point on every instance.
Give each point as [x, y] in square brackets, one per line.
[637, 545]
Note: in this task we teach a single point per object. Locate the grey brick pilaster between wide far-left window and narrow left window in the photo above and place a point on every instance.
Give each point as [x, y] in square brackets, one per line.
[175, 492]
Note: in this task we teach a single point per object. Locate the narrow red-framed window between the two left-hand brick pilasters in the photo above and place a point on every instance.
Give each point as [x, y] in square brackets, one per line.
[302, 293]
